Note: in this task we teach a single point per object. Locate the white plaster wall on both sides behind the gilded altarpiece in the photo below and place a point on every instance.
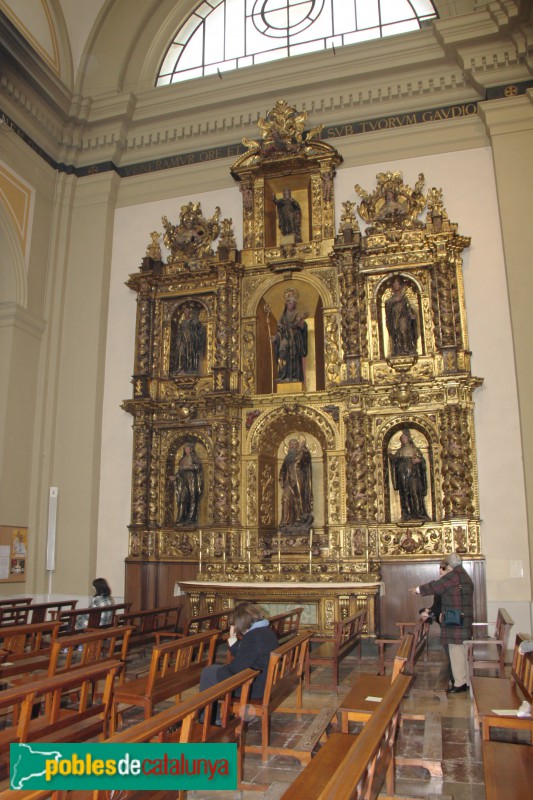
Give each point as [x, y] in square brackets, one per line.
[467, 180]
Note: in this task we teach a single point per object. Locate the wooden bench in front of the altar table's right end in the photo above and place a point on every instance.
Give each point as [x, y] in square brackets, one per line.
[347, 635]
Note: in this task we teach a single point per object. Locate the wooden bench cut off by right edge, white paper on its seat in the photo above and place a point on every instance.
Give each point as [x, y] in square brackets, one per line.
[492, 694]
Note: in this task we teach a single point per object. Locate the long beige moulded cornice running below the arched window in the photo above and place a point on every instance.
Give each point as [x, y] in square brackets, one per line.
[453, 61]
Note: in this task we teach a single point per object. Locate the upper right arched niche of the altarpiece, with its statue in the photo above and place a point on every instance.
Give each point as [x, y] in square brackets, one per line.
[401, 329]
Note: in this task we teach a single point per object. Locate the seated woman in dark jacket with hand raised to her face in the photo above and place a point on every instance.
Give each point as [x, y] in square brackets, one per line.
[252, 650]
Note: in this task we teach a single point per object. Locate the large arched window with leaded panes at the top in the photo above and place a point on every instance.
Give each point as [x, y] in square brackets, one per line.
[230, 34]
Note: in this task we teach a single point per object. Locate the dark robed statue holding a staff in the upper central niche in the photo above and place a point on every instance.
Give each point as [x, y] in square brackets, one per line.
[290, 341]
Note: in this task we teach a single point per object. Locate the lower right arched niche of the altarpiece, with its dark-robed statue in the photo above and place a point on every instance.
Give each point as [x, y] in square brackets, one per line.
[404, 477]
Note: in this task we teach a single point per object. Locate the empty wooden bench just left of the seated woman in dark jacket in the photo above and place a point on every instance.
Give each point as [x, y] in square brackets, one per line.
[175, 666]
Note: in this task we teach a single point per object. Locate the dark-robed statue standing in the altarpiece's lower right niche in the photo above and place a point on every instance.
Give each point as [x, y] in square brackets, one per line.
[409, 478]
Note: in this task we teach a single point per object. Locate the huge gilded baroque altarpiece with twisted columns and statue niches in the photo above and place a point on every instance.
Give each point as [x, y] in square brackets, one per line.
[387, 366]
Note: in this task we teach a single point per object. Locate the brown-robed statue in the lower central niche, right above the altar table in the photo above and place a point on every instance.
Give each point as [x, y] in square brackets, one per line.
[295, 478]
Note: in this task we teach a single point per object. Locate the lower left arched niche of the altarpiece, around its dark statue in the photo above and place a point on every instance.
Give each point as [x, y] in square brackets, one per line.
[173, 456]
